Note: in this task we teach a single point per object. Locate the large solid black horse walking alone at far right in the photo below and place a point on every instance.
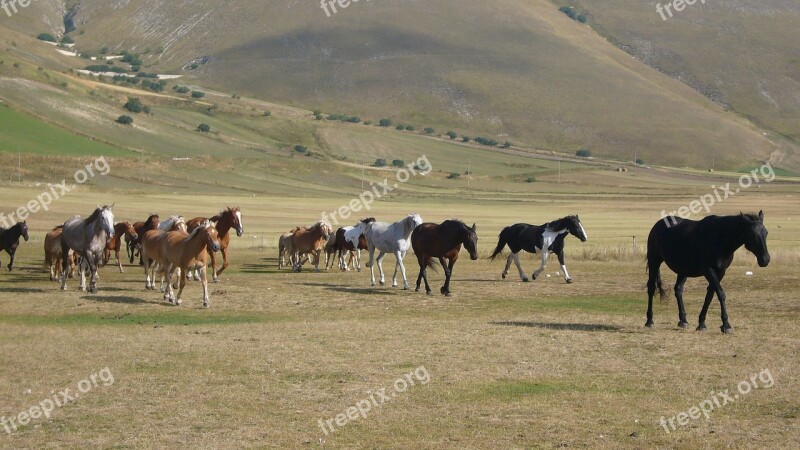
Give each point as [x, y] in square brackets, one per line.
[702, 248]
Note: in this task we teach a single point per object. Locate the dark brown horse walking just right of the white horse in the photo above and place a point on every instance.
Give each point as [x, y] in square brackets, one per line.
[444, 242]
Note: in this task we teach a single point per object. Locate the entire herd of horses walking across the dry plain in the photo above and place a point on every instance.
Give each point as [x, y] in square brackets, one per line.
[179, 249]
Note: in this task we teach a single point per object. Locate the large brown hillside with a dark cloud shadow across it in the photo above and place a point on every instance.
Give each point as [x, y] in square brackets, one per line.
[517, 70]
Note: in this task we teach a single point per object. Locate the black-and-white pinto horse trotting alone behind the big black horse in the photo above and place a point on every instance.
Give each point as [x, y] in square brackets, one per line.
[544, 239]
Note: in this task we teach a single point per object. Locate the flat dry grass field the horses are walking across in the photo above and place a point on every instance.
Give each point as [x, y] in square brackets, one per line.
[508, 364]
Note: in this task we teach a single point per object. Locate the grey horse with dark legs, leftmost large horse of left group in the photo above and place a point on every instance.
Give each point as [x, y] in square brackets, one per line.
[88, 238]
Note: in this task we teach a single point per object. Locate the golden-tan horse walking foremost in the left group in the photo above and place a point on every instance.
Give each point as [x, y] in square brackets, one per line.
[184, 252]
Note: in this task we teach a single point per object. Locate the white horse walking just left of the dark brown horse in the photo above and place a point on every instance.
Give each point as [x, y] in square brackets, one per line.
[392, 238]
